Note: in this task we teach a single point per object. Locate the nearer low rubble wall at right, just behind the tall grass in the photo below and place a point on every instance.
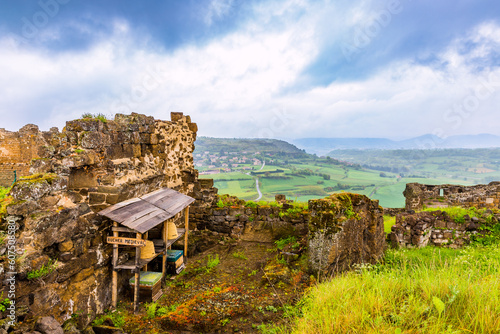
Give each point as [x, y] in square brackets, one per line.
[436, 228]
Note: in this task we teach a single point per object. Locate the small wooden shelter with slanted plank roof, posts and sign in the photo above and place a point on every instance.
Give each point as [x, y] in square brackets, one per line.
[138, 216]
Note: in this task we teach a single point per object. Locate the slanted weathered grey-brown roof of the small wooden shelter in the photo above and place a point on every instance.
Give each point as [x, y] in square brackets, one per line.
[147, 211]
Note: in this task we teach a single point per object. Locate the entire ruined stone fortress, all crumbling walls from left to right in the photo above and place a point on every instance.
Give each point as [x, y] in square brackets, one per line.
[65, 178]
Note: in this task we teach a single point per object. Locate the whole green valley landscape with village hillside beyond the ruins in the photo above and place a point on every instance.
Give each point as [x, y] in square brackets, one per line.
[379, 174]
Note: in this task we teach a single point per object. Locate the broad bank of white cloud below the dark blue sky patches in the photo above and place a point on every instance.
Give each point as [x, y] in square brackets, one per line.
[237, 85]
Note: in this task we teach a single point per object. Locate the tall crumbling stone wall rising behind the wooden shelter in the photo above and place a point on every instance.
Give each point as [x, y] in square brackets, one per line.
[75, 173]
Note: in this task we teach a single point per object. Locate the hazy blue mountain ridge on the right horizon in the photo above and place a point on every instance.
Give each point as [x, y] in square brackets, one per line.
[322, 146]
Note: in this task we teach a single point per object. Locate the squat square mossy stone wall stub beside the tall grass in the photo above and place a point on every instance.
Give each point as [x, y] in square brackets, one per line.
[345, 229]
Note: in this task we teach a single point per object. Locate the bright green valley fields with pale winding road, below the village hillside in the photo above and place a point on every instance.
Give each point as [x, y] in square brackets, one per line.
[388, 190]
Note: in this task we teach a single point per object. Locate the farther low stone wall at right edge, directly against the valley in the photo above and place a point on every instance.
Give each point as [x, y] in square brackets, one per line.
[481, 196]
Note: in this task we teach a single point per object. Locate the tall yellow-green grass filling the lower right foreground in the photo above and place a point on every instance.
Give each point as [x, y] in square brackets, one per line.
[428, 290]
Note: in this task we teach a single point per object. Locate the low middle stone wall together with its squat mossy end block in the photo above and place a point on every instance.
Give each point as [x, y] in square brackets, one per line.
[342, 229]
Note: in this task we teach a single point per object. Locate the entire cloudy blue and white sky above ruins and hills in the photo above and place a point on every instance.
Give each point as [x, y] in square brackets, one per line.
[256, 68]
